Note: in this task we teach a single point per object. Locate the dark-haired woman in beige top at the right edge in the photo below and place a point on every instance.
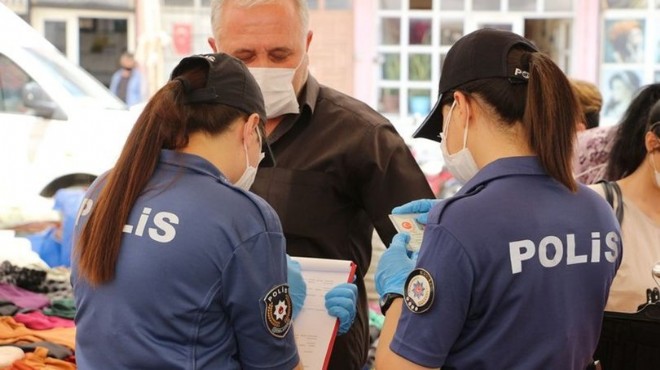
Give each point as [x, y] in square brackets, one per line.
[633, 163]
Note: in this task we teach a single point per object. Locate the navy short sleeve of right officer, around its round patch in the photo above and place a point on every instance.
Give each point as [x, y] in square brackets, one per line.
[427, 337]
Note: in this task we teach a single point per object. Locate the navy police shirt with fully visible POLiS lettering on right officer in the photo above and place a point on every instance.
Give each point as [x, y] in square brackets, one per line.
[521, 269]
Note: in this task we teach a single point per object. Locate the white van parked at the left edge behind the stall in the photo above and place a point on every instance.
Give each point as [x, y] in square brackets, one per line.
[59, 126]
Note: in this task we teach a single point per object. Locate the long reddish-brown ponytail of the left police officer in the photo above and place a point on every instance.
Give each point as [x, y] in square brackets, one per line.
[165, 123]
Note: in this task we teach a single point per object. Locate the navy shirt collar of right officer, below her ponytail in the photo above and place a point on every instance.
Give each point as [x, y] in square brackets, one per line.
[503, 167]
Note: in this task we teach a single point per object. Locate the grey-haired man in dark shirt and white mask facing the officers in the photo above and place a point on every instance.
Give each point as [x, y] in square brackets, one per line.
[341, 166]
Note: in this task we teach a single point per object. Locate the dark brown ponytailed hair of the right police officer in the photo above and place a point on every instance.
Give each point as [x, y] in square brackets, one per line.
[545, 104]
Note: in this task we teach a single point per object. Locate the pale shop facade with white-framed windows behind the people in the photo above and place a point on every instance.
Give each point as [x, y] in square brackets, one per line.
[387, 53]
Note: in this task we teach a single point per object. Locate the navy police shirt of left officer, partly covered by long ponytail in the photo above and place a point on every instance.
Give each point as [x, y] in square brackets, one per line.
[199, 257]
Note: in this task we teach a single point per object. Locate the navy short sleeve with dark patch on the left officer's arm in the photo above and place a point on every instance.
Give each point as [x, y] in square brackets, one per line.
[256, 272]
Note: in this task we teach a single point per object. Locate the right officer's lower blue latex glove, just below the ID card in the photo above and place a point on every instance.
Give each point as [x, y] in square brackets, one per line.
[394, 266]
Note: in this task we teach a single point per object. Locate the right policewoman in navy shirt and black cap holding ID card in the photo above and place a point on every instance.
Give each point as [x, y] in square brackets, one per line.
[514, 270]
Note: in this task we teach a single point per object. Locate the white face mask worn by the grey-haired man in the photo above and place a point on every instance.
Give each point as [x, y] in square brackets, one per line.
[277, 87]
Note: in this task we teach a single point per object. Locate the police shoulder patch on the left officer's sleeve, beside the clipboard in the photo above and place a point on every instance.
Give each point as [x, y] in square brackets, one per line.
[278, 310]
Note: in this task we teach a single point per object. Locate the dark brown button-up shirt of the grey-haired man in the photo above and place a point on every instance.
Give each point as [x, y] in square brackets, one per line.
[341, 168]
